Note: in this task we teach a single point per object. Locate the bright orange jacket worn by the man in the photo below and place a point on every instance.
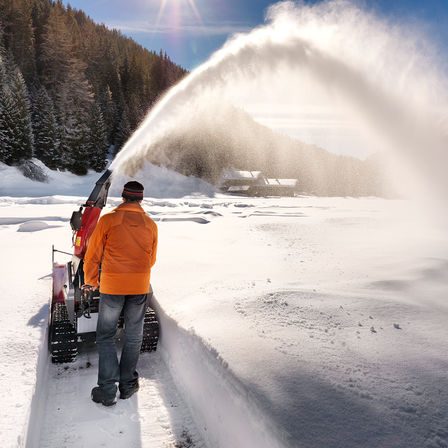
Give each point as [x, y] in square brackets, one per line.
[124, 242]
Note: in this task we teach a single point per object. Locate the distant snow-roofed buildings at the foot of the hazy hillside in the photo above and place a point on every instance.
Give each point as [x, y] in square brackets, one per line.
[254, 183]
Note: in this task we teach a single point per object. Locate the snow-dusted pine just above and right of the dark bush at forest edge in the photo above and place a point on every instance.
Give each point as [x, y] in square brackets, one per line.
[45, 130]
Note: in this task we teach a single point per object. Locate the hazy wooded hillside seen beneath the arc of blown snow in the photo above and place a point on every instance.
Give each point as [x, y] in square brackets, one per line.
[225, 137]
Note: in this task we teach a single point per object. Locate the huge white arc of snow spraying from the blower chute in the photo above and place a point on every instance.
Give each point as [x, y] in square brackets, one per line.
[381, 78]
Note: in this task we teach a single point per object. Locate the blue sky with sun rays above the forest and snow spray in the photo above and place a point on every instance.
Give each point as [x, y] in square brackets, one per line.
[190, 30]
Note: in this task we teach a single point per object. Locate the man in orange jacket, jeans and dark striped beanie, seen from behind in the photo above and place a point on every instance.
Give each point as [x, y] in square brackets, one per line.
[124, 244]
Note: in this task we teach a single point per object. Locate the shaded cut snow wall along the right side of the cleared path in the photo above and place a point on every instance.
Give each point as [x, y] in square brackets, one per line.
[222, 406]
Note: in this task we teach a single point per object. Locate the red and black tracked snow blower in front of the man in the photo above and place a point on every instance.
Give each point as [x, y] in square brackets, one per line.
[74, 312]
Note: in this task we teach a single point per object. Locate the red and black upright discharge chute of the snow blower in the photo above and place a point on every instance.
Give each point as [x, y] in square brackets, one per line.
[83, 223]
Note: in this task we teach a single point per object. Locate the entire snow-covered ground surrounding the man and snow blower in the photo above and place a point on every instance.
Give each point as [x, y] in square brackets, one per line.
[292, 322]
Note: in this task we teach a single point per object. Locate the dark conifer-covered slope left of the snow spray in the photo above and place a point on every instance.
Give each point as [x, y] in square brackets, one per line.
[69, 88]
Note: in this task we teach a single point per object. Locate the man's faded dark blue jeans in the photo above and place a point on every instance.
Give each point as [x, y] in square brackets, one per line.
[111, 371]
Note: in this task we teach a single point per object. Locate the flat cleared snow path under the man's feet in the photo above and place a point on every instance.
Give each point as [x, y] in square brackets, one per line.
[154, 417]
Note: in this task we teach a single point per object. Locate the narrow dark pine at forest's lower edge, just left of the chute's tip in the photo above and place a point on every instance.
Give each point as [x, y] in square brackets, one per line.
[97, 147]
